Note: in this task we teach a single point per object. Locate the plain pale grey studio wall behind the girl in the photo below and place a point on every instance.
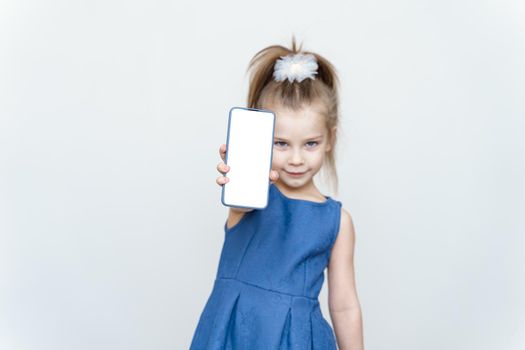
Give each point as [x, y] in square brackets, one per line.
[111, 115]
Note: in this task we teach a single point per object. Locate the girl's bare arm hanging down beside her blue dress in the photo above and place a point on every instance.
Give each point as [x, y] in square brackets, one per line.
[343, 303]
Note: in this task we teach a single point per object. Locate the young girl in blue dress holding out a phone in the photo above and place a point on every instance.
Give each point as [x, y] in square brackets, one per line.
[271, 268]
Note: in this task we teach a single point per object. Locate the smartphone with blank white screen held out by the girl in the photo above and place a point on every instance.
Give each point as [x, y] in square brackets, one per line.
[249, 150]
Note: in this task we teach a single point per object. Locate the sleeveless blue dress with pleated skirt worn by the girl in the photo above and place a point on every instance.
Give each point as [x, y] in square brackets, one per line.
[270, 273]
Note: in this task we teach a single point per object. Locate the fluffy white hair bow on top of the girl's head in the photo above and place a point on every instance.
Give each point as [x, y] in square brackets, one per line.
[295, 67]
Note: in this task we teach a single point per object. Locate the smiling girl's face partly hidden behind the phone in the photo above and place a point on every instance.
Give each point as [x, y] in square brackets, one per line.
[300, 144]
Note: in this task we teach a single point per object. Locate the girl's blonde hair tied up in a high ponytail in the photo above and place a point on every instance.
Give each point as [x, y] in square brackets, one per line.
[324, 89]
